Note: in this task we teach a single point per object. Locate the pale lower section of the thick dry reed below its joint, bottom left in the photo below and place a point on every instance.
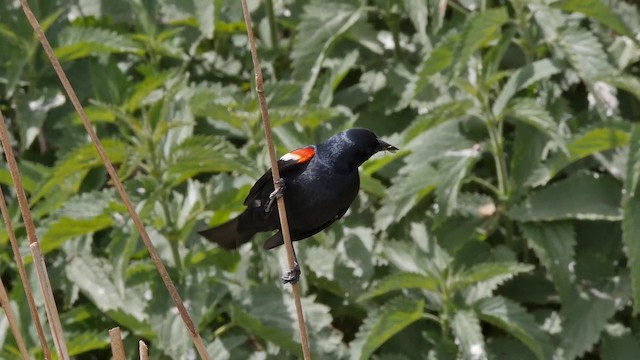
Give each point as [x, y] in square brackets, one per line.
[49, 301]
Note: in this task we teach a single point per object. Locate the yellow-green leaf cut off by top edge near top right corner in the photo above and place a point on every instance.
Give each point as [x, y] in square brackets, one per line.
[598, 10]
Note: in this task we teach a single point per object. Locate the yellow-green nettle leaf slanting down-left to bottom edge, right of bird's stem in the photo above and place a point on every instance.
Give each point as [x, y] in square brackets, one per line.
[382, 324]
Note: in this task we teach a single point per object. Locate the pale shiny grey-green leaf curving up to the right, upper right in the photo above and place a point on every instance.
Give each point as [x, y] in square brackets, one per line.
[524, 77]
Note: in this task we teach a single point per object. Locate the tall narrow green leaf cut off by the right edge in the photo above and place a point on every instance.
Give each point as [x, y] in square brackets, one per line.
[631, 211]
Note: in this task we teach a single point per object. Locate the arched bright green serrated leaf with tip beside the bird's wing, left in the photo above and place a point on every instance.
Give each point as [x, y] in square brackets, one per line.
[200, 154]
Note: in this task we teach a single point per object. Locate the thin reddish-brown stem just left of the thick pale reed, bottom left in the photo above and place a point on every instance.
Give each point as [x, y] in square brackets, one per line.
[26, 284]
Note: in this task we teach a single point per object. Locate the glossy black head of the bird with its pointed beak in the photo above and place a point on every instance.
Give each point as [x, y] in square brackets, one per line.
[355, 146]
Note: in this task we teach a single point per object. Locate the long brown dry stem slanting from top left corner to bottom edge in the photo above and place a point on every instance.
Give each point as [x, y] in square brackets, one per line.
[155, 257]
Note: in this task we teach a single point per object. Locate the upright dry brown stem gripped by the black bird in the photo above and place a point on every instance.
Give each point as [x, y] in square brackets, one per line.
[282, 212]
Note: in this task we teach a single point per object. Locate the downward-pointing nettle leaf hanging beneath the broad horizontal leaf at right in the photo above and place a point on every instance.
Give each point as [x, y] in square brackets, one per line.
[554, 244]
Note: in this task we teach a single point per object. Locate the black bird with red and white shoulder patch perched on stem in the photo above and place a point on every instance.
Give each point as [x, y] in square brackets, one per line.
[319, 182]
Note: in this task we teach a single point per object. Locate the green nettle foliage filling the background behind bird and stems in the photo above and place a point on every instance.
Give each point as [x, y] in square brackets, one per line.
[506, 228]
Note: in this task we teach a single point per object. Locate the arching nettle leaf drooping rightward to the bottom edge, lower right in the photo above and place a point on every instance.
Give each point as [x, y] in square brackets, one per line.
[514, 319]
